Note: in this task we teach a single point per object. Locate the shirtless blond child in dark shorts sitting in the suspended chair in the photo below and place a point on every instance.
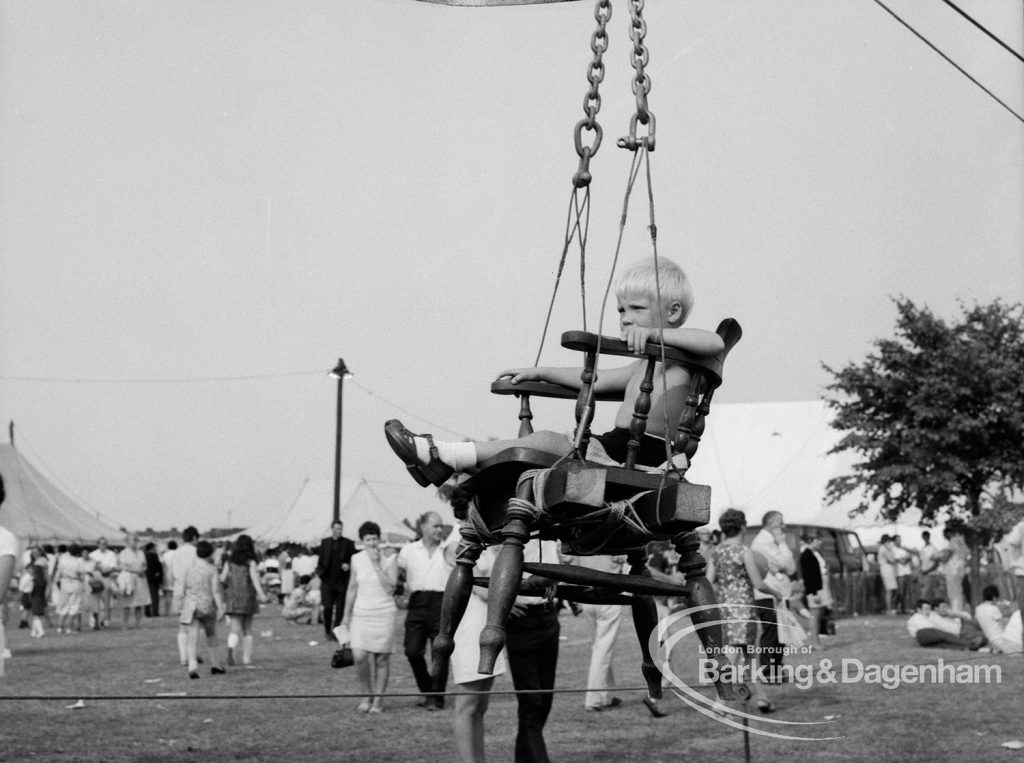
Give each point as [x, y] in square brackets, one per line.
[641, 316]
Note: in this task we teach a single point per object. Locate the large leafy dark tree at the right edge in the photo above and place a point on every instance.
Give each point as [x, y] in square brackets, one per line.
[938, 415]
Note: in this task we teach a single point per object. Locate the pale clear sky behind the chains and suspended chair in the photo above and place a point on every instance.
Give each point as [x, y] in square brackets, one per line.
[203, 206]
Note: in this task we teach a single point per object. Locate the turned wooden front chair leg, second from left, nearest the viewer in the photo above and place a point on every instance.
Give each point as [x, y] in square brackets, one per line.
[506, 576]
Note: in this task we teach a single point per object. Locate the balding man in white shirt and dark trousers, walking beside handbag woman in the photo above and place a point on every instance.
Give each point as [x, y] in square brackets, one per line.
[426, 573]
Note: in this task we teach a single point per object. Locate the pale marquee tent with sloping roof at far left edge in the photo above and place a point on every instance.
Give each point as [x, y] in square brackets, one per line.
[37, 513]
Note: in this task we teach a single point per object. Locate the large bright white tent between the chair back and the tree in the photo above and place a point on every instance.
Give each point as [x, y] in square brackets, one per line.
[759, 457]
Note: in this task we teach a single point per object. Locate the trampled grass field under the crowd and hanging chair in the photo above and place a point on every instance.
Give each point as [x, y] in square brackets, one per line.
[141, 706]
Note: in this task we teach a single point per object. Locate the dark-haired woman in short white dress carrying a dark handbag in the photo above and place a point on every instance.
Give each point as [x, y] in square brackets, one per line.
[370, 616]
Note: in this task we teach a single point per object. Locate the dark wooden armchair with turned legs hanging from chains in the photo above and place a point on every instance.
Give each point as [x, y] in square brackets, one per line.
[591, 508]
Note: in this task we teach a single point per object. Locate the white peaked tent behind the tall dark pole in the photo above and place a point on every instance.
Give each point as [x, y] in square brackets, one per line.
[308, 519]
